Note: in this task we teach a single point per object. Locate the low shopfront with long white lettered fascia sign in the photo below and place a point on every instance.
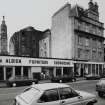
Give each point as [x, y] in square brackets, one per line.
[12, 66]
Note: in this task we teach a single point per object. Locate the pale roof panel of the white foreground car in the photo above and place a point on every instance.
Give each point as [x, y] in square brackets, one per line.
[47, 86]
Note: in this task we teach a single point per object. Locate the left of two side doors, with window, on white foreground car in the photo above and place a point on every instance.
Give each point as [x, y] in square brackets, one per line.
[49, 97]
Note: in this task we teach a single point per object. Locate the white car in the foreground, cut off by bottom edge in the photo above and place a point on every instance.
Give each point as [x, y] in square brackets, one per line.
[54, 94]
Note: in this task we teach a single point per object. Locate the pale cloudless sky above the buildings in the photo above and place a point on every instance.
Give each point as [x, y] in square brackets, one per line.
[37, 13]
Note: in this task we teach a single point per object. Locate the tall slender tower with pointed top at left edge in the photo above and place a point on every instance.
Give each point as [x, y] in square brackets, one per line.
[3, 38]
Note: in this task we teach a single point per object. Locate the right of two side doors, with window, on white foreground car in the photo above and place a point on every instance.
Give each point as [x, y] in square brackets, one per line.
[69, 97]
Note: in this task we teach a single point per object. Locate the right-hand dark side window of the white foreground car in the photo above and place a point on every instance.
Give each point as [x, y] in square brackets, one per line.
[66, 93]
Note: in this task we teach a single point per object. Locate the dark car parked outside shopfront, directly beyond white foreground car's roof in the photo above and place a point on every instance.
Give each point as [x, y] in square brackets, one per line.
[65, 78]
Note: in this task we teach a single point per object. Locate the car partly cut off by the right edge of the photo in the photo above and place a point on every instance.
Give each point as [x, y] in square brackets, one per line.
[100, 87]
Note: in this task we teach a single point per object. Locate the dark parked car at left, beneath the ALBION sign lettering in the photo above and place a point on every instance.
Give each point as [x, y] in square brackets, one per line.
[20, 80]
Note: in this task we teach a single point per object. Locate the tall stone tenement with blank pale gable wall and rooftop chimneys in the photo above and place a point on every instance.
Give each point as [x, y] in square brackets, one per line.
[78, 34]
